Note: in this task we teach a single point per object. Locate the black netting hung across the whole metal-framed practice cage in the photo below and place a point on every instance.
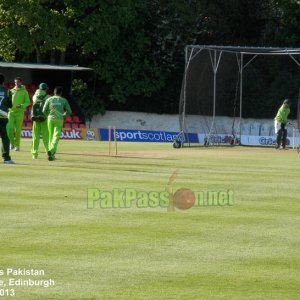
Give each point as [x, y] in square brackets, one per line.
[211, 100]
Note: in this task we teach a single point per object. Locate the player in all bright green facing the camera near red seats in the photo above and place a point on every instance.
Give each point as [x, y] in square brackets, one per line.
[20, 101]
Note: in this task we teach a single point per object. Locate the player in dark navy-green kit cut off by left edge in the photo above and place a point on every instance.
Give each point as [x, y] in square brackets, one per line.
[5, 104]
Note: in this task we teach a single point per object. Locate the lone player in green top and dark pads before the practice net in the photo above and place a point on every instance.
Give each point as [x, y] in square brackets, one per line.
[280, 122]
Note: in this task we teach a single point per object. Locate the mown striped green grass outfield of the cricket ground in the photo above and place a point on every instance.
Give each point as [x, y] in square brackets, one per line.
[248, 250]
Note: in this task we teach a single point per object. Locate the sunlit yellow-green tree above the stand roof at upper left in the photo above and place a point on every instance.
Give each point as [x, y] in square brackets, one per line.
[39, 28]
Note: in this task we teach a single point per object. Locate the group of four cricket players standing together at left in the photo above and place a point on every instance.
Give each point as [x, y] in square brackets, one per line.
[13, 104]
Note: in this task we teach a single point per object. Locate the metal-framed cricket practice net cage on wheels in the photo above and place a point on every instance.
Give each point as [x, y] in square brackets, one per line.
[211, 100]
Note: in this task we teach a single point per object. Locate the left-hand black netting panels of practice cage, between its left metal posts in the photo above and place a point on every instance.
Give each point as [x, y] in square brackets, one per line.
[197, 94]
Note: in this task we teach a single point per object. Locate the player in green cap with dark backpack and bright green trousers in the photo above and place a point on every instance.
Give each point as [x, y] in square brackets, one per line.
[39, 126]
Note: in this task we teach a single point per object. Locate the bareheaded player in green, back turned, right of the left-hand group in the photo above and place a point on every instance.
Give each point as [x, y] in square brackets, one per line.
[56, 109]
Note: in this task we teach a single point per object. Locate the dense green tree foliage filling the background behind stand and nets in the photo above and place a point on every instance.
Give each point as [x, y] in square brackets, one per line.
[137, 47]
